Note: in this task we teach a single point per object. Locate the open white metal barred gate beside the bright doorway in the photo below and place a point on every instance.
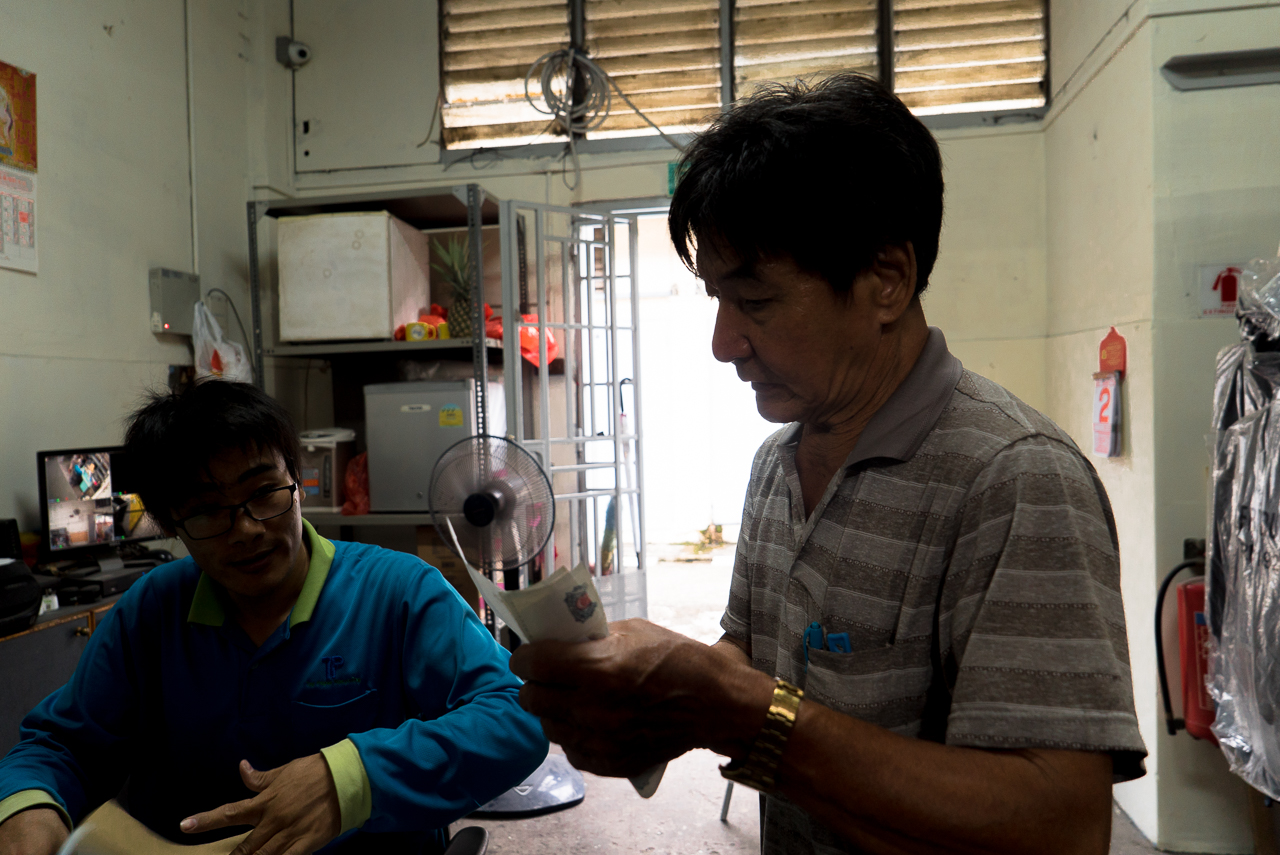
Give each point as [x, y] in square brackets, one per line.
[569, 282]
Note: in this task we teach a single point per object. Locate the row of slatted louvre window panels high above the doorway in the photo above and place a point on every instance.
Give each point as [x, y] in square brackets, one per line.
[949, 57]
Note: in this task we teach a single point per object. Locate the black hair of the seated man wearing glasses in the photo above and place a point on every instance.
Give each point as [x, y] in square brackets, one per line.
[173, 437]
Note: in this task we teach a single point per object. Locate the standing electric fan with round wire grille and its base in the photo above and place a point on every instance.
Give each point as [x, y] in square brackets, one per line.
[499, 501]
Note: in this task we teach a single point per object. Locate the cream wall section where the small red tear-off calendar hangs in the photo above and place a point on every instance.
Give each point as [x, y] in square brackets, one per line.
[1100, 273]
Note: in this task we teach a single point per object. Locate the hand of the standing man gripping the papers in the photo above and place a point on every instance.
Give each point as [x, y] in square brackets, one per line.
[641, 697]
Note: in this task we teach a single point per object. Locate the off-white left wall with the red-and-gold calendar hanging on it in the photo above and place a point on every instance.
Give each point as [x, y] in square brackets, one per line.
[76, 348]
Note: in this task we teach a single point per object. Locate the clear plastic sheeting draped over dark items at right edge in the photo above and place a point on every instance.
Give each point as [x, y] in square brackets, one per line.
[1244, 579]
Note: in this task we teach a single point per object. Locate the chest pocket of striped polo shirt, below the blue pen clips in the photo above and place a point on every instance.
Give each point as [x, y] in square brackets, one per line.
[886, 685]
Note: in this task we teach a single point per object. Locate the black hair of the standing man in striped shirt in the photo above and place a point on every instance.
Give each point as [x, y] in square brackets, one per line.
[828, 175]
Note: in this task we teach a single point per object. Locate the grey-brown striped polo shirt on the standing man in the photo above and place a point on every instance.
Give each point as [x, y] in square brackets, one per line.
[970, 552]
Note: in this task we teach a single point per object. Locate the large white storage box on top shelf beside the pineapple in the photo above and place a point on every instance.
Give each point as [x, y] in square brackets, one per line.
[350, 276]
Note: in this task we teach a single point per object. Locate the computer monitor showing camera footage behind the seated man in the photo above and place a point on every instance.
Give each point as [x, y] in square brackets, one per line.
[88, 506]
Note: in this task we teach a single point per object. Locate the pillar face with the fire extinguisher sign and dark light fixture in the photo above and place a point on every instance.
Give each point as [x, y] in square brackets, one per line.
[1217, 198]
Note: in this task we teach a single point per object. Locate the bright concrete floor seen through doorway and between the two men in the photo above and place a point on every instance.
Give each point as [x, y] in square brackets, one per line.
[683, 819]
